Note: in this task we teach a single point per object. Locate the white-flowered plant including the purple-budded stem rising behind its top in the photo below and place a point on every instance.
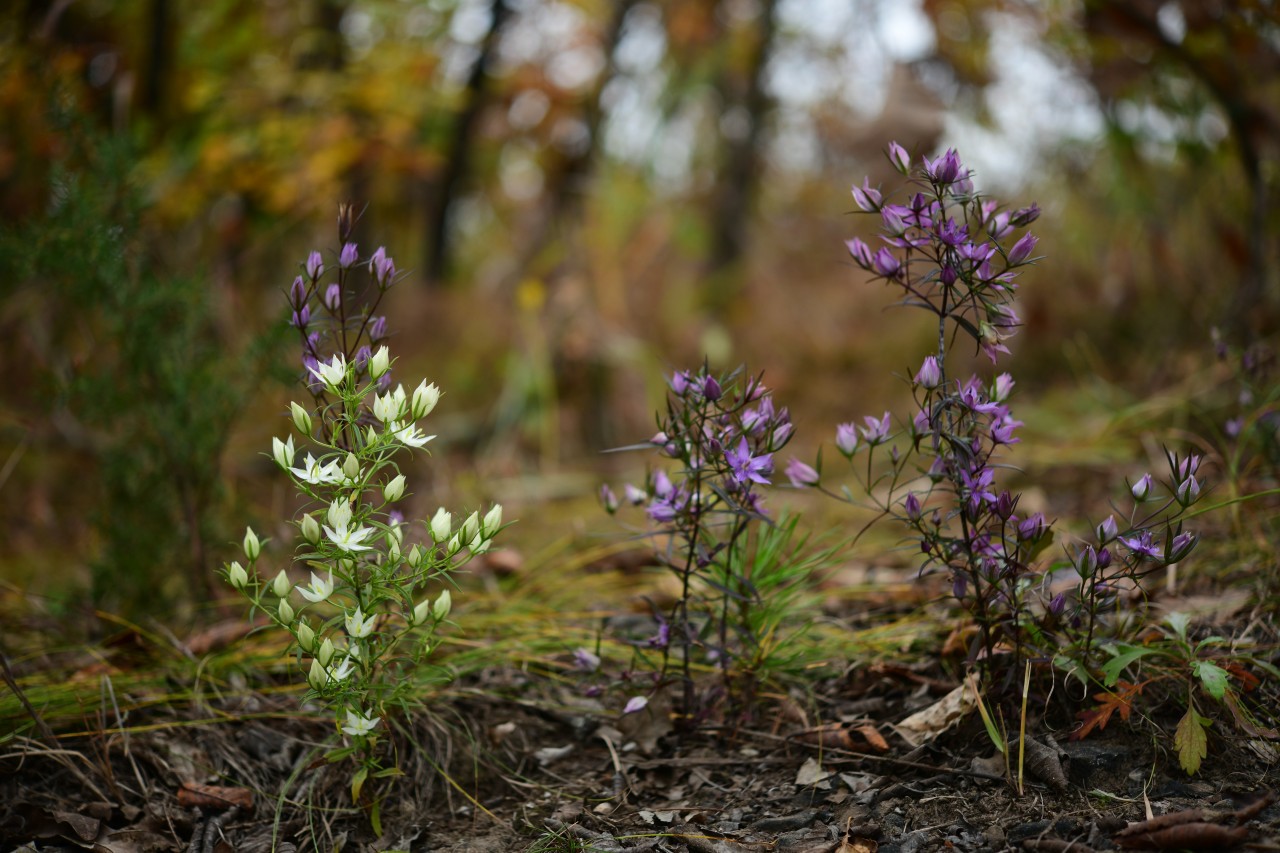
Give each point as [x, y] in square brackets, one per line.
[368, 618]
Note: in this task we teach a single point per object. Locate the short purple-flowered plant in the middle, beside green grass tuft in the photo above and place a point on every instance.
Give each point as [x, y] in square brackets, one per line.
[723, 435]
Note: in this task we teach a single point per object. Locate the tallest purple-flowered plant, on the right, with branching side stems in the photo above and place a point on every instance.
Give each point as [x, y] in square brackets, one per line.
[958, 256]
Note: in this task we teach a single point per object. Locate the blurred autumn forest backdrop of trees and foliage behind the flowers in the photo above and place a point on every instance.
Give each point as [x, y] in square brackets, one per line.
[587, 194]
